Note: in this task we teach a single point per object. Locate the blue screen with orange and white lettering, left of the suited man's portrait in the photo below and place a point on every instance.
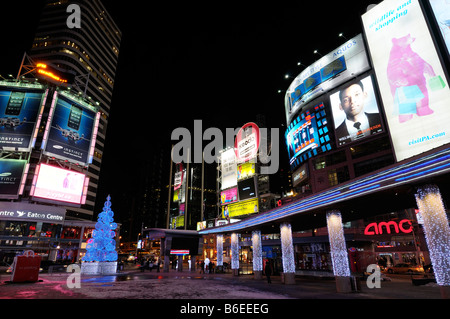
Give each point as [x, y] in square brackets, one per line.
[308, 135]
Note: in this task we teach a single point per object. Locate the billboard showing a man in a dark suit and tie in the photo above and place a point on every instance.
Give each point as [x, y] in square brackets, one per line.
[355, 112]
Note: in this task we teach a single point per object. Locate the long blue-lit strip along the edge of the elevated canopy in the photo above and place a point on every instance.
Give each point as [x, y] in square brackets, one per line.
[432, 164]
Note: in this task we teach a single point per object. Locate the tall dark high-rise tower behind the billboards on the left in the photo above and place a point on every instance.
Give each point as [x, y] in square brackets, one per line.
[91, 52]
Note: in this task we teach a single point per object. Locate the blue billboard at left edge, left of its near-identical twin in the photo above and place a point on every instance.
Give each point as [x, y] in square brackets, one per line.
[20, 115]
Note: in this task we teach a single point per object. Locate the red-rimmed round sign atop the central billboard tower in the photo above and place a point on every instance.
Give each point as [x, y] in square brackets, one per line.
[247, 141]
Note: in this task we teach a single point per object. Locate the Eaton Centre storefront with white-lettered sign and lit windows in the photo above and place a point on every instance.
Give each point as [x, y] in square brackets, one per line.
[44, 230]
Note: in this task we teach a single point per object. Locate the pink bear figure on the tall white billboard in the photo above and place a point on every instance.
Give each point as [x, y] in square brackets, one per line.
[407, 68]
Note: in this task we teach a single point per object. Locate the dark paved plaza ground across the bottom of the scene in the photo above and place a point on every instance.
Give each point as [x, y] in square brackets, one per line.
[134, 284]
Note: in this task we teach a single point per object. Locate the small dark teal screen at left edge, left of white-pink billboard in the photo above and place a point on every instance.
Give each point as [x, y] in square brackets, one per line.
[12, 176]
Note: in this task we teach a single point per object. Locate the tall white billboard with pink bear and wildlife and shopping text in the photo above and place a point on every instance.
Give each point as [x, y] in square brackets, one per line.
[411, 79]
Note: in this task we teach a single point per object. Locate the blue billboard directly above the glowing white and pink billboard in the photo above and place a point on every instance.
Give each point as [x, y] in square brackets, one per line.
[71, 133]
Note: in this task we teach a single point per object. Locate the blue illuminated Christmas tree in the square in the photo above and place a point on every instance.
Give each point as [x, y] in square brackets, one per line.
[102, 245]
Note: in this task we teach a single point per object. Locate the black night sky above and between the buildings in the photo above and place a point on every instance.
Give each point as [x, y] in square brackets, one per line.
[222, 63]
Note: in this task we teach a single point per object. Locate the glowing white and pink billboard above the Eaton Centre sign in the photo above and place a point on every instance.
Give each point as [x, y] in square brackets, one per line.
[61, 185]
